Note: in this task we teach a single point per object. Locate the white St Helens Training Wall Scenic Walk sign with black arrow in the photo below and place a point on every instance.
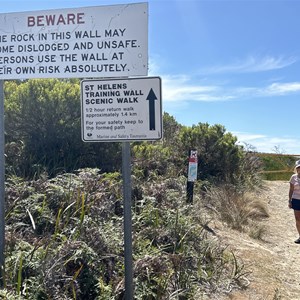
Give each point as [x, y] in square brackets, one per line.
[121, 109]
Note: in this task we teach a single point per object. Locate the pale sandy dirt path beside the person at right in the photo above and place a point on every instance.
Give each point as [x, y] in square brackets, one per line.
[274, 261]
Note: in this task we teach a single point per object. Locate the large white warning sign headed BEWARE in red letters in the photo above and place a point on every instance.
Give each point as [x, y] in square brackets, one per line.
[105, 41]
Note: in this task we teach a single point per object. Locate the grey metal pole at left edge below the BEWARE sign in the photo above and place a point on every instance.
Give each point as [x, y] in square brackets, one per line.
[2, 186]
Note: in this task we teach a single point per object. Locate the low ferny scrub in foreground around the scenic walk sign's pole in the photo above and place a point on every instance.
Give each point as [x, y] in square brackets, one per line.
[64, 240]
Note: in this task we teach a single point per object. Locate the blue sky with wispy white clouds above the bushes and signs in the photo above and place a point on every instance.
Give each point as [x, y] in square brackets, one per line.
[234, 63]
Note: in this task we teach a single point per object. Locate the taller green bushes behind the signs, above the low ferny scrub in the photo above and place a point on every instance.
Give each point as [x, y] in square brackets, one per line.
[43, 135]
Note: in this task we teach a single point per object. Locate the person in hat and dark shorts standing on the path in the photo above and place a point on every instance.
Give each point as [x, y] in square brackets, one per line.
[294, 197]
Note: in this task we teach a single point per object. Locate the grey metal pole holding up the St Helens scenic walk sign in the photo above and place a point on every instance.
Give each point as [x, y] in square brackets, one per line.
[126, 171]
